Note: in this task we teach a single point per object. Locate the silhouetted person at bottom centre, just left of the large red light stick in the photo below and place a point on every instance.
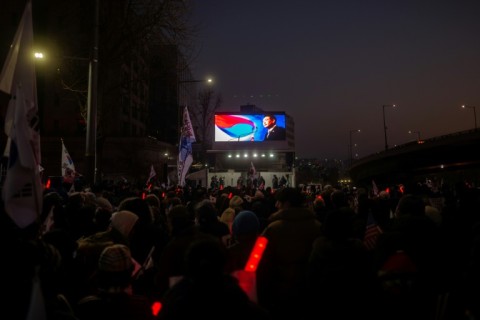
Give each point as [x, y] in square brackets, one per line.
[207, 291]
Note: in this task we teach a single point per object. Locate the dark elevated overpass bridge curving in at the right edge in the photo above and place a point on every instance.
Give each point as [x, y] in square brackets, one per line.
[453, 158]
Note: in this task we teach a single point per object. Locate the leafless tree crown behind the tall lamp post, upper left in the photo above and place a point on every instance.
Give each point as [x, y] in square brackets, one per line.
[126, 27]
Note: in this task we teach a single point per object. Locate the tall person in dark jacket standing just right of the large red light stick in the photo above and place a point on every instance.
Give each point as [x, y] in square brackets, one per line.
[282, 269]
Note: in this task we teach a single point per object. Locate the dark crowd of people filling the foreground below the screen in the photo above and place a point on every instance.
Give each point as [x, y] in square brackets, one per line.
[105, 253]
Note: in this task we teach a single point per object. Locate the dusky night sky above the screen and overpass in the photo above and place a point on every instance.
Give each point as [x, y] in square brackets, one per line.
[333, 64]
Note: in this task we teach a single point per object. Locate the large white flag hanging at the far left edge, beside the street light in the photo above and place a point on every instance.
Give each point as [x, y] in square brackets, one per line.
[22, 190]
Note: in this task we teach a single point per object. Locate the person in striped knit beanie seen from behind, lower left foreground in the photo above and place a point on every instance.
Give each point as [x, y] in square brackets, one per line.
[113, 298]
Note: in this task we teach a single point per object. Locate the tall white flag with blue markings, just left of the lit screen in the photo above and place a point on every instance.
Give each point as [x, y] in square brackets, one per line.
[185, 154]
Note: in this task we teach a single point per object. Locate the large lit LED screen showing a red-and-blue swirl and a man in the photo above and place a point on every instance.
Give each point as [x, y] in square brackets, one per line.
[234, 127]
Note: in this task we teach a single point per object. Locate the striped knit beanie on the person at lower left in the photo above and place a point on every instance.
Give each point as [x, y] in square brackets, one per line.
[115, 258]
